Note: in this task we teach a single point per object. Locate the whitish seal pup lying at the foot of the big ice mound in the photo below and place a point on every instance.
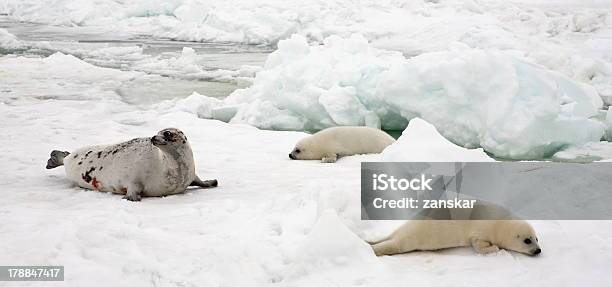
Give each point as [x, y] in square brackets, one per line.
[329, 144]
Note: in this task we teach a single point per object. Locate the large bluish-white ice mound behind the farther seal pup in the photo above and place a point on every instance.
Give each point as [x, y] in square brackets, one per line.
[522, 111]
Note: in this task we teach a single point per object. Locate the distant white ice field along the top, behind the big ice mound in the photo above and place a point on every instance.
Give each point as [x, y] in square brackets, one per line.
[260, 22]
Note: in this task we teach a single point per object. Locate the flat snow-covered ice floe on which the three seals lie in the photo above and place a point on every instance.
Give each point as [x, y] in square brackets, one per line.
[271, 220]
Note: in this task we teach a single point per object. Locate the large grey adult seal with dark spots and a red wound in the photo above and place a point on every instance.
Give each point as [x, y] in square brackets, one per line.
[157, 166]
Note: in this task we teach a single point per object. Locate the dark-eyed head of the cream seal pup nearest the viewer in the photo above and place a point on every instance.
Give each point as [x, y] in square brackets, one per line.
[522, 238]
